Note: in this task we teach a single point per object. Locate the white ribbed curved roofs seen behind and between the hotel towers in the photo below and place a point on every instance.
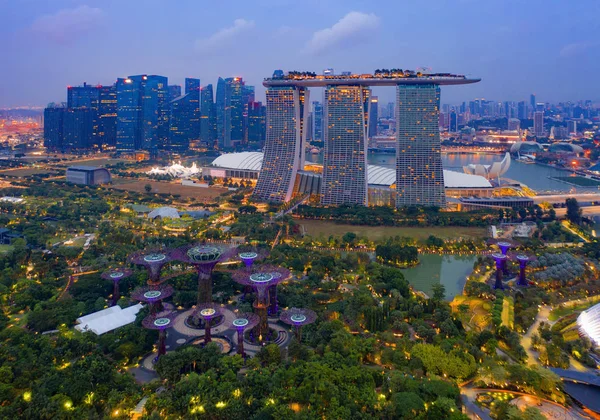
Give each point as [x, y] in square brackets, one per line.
[378, 175]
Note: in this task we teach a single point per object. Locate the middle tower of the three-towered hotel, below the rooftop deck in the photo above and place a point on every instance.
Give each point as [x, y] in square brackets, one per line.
[345, 133]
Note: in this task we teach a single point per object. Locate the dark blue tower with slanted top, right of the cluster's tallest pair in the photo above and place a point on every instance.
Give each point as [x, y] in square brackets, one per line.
[181, 127]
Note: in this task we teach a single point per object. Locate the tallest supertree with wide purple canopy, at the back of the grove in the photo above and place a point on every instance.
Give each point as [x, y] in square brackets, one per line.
[204, 258]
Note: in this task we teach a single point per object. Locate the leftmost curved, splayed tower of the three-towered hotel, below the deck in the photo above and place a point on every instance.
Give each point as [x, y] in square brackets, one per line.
[284, 146]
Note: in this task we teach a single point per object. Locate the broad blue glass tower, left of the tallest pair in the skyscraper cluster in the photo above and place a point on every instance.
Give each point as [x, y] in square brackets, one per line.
[129, 114]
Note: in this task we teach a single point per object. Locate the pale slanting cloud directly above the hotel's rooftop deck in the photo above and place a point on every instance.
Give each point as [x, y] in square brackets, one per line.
[354, 28]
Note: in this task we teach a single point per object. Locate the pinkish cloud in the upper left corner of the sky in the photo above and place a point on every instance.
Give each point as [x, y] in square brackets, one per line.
[66, 25]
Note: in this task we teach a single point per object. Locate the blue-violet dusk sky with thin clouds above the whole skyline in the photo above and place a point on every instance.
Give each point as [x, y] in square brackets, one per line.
[550, 47]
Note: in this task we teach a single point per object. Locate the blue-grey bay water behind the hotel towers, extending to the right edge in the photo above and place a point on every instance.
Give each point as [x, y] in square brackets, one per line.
[535, 176]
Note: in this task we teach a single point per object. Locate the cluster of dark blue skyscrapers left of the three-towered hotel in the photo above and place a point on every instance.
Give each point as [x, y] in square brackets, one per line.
[145, 113]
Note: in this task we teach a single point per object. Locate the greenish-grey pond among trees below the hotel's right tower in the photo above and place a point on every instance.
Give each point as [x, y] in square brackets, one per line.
[449, 270]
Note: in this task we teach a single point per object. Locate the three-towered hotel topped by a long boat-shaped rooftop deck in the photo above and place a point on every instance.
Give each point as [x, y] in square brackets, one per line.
[419, 174]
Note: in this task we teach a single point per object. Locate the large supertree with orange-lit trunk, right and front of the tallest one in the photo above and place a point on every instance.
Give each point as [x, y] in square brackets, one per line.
[264, 280]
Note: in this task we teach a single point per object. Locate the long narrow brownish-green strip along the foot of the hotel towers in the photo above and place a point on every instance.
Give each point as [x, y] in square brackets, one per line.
[324, 228]
